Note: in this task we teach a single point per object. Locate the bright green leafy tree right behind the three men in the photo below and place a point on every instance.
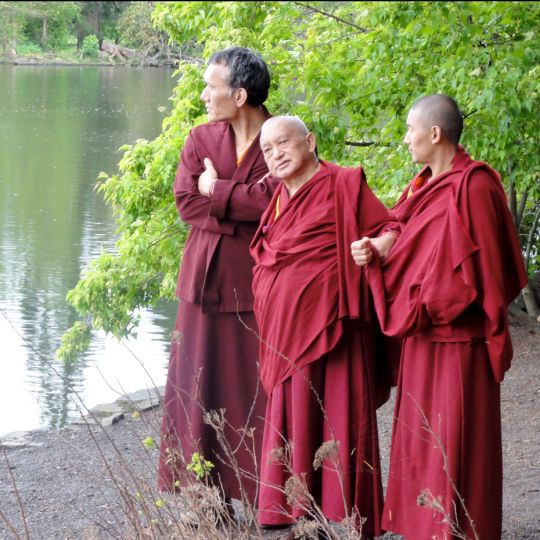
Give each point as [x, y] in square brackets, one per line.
[350, 70]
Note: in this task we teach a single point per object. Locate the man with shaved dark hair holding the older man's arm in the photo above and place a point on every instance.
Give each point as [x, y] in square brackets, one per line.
[445, 287]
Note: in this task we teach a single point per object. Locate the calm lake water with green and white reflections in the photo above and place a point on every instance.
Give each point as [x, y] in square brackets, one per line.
[59, 127]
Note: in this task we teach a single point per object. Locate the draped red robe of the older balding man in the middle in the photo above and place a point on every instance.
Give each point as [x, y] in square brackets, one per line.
[315, 321]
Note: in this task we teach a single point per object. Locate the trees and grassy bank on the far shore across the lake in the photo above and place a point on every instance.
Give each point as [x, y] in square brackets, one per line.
[84, 32]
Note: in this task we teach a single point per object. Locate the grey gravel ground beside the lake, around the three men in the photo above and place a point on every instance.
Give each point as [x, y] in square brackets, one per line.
[80, 482]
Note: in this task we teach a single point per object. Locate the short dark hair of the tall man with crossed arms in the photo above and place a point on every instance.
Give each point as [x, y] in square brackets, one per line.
[247, 70]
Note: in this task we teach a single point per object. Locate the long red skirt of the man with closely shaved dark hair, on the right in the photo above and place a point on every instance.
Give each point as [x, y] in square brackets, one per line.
[448, 403]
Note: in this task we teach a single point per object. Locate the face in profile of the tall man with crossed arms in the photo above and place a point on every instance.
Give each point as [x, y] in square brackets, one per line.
[218, 96]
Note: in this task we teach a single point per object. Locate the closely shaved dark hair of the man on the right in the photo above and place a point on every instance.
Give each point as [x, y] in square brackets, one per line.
[441, 110]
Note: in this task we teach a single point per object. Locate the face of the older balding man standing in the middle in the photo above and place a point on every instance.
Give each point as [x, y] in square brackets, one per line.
[288, 152]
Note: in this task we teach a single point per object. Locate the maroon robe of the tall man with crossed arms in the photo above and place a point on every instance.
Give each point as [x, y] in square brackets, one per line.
[213, 361]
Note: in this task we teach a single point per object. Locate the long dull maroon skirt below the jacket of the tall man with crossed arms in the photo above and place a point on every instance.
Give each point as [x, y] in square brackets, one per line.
[213, 365]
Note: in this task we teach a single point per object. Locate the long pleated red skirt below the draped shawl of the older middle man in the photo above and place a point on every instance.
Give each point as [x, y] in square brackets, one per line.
[347, 482]
